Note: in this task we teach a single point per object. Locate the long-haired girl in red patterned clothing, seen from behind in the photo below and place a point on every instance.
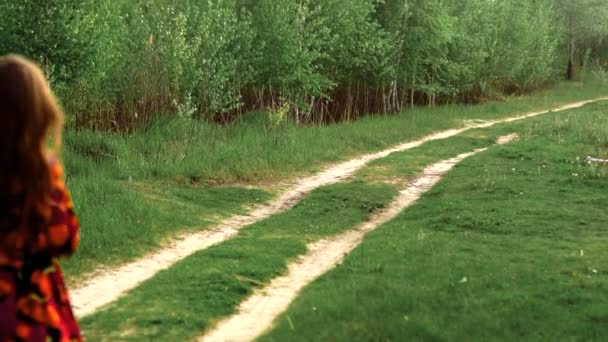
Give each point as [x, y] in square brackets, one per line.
[37, 222]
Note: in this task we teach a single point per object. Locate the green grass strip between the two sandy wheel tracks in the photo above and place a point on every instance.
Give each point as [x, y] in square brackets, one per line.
[182, 301]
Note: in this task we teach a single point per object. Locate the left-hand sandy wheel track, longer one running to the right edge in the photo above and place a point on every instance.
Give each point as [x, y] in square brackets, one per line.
[107, 285]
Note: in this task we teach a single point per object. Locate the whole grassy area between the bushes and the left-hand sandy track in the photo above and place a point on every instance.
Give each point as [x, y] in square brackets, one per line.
[134, 191]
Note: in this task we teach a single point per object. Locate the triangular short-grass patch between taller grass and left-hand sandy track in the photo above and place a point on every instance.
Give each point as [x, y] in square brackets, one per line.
[122, 220]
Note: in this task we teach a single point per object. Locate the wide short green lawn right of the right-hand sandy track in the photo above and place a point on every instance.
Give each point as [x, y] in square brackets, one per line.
[509, 246]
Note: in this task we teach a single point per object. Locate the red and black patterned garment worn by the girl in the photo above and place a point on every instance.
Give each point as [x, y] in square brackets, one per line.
[34, 304]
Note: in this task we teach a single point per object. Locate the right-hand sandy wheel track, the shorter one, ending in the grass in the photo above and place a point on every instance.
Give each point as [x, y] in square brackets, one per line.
[258, 312]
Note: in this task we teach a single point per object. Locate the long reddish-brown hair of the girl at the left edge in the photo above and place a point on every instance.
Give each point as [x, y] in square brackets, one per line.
[30, 133]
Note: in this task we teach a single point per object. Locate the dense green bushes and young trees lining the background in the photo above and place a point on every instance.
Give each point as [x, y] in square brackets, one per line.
[117, 62]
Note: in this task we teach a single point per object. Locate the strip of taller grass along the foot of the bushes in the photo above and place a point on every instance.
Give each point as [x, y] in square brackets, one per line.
[246, 152]
